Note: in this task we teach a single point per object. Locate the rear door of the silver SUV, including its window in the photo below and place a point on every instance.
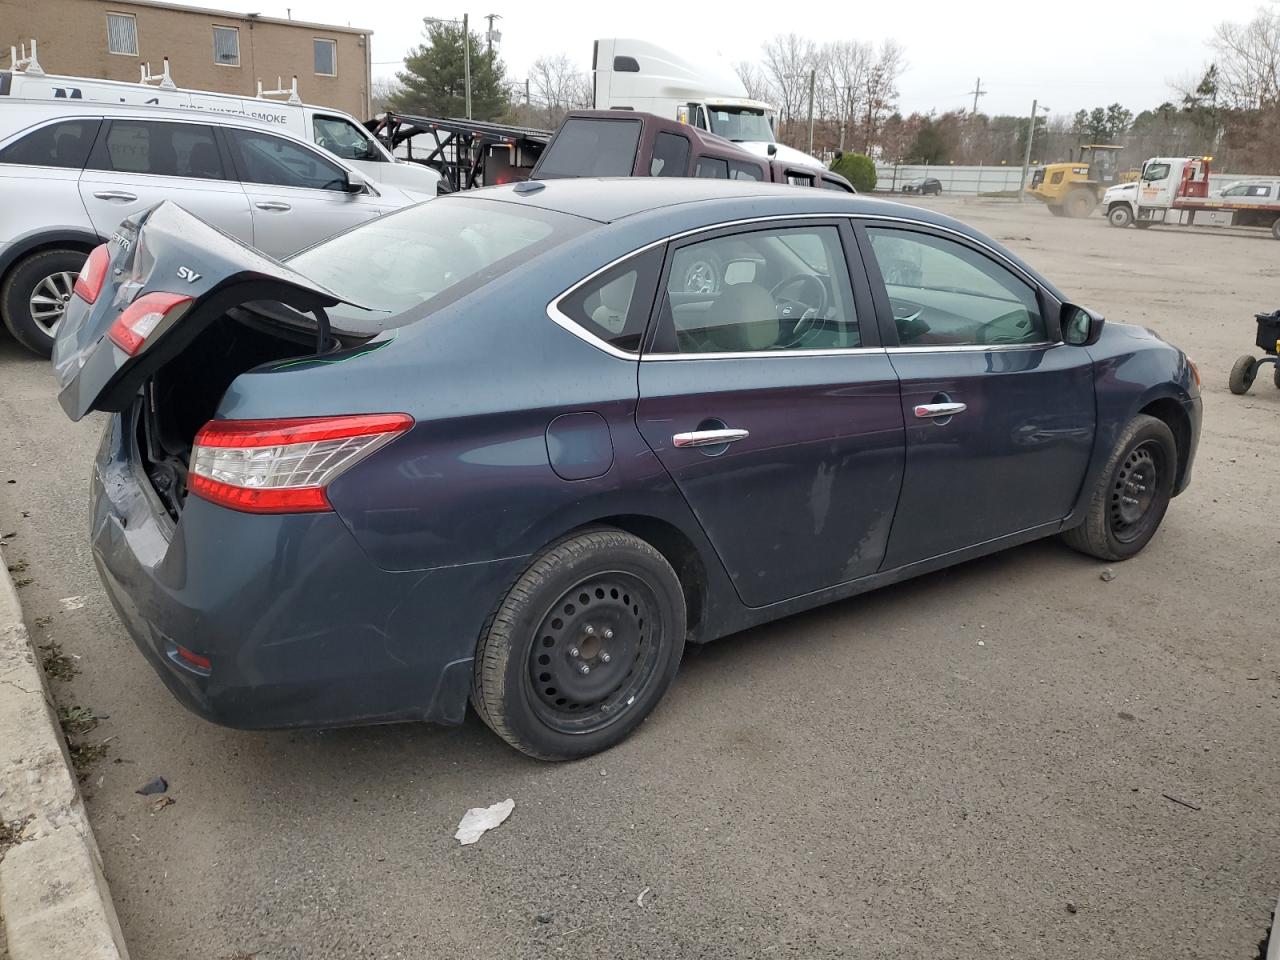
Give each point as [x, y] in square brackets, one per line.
[135, 164]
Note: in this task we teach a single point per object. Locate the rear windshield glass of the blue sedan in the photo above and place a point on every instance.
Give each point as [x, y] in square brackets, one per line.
[417, 260]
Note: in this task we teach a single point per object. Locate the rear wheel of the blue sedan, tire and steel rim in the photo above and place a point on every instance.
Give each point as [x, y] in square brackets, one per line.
[583, 647]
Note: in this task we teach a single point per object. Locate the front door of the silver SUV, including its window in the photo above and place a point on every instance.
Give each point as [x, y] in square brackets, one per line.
[296, 194]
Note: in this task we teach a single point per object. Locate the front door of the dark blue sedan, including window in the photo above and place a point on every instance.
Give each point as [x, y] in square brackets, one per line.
[1000, 414]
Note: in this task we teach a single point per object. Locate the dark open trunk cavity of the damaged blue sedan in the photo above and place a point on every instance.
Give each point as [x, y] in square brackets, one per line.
[184, 395]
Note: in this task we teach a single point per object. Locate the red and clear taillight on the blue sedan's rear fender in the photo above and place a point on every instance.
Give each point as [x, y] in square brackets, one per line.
[284, 467]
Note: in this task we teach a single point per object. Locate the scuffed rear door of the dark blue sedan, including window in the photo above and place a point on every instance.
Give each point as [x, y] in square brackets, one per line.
[767, 399]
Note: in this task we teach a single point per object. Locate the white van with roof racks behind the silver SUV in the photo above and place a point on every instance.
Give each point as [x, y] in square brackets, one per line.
[332, 130]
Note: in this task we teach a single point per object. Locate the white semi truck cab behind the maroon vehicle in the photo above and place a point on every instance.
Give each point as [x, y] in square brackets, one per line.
[636, 75]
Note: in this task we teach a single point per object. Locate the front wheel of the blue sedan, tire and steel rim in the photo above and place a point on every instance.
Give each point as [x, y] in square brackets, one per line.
[1132, 495]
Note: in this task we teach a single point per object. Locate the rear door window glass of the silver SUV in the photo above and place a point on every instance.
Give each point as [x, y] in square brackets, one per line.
[159, 149]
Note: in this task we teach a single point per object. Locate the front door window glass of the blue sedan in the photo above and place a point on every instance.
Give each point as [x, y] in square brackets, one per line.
[945, 294]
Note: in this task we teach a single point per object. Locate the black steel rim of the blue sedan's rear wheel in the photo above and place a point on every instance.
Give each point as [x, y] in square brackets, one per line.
[596, 651]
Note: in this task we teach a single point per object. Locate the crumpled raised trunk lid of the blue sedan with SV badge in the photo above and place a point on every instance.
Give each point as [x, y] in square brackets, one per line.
[205, 272]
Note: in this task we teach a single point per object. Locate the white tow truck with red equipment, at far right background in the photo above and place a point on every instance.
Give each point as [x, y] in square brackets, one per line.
[1176, 190]
